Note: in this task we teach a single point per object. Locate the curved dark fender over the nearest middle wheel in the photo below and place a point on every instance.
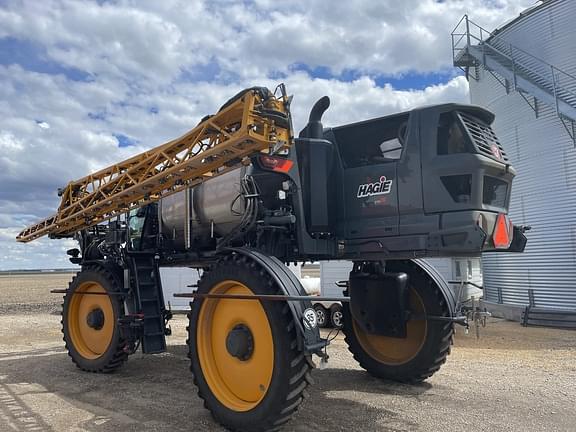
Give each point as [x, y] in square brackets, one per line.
[309, 340]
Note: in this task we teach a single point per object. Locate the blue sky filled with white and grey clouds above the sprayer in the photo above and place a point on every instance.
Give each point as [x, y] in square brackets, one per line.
[86, 83]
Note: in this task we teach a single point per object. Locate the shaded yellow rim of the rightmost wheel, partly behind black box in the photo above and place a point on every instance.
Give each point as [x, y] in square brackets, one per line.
[396, 351]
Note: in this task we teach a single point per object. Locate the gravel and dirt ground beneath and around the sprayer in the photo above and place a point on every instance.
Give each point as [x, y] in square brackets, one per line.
[512, 379]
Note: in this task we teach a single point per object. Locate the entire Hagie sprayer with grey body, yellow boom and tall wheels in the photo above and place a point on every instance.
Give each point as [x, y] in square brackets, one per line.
[238, 197]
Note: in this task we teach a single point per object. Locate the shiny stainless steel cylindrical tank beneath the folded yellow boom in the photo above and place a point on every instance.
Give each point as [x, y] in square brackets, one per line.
[211, 209]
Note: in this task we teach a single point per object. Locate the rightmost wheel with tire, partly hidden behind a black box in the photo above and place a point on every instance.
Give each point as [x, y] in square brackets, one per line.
[418, 356]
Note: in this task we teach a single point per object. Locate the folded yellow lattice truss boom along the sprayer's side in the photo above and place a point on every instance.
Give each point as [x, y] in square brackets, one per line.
[253, 121]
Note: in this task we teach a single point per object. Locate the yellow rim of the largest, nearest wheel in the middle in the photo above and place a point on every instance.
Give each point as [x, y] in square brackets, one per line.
[240, 385]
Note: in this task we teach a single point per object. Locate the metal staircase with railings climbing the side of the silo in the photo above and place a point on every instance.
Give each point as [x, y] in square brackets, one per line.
[532, 77]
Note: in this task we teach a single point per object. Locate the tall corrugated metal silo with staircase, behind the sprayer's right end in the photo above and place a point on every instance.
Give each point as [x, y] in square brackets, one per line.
[525, 73]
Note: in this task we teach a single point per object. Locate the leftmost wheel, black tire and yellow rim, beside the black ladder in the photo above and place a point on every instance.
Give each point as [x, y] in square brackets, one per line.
[90, 321]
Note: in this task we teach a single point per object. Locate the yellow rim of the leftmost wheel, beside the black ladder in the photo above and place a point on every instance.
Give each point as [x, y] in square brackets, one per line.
[90, 340]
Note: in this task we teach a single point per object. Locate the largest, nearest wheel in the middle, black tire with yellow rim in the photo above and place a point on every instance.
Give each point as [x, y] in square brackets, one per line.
[244, 353]
